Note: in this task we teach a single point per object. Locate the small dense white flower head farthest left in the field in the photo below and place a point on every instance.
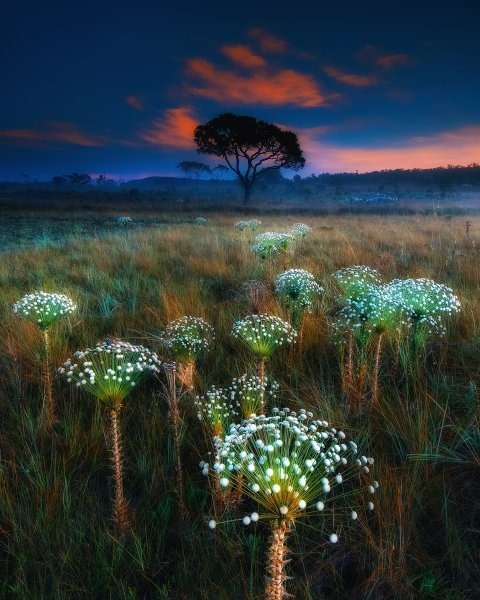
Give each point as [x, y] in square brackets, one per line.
[43, 308]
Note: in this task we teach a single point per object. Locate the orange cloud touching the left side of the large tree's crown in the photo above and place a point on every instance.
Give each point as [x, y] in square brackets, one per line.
[174, 129]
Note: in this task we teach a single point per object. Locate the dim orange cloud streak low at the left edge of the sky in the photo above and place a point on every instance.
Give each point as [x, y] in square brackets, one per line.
[57, 131]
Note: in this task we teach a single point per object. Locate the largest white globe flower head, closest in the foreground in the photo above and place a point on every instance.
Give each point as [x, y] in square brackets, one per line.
[292, 465]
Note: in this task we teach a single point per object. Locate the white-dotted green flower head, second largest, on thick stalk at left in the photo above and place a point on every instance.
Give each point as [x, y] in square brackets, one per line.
[110, 370]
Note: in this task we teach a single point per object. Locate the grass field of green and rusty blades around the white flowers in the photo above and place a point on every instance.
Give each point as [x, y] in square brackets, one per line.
[57, 538]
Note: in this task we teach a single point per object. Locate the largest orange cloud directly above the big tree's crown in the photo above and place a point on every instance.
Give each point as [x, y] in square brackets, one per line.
[273, 89]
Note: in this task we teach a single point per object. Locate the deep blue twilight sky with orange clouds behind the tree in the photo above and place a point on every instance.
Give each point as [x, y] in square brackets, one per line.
[118, 87]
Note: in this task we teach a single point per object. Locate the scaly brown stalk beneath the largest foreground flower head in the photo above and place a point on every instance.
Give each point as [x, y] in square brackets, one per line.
[274, 588]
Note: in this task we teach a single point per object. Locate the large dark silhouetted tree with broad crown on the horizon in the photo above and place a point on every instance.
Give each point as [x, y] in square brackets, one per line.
[249, 146]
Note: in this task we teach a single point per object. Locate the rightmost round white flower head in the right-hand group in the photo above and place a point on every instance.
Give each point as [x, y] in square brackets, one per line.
[425, 302]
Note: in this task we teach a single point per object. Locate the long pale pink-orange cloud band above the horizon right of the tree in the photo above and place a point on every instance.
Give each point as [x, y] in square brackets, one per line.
[461, 146]
